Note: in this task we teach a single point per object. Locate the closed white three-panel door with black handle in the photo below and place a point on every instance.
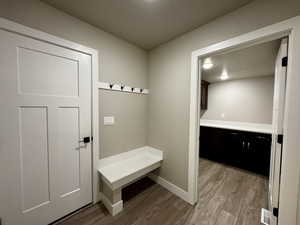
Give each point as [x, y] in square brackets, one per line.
[45, 96]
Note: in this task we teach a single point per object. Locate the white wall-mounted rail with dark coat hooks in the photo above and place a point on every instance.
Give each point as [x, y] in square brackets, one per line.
[122, 88]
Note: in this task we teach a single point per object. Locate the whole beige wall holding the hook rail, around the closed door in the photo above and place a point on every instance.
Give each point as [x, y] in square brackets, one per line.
[119, 62]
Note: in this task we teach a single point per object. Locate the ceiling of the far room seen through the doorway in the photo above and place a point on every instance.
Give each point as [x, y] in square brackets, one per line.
[255, 61]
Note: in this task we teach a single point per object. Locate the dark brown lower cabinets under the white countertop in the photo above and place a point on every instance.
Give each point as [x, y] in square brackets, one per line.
[245, 150]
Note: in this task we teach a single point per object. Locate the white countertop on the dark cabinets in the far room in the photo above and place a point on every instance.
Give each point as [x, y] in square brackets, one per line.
[232, 125]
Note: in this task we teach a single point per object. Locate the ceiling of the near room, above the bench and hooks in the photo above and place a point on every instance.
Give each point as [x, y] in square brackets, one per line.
[147, 23]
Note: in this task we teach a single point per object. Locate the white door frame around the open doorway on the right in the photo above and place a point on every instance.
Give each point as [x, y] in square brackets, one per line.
[289, 190]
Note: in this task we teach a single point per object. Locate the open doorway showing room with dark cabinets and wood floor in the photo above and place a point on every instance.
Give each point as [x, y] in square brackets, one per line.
[241, 111]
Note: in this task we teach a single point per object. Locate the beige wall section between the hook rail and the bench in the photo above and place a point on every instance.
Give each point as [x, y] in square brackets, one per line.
[130, 111]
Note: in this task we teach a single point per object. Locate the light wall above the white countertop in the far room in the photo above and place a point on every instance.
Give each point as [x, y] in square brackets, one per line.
[244, 100]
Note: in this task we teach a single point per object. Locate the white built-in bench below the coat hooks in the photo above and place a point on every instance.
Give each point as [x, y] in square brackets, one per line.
[120, 170]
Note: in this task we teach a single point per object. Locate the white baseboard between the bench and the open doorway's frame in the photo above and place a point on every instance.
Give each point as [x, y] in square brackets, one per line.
[170, 187]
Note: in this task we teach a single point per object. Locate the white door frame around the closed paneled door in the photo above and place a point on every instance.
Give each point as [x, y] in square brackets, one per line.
[13, 27]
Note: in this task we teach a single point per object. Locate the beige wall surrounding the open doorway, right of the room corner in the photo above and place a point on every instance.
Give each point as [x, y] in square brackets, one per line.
[169, 78]
